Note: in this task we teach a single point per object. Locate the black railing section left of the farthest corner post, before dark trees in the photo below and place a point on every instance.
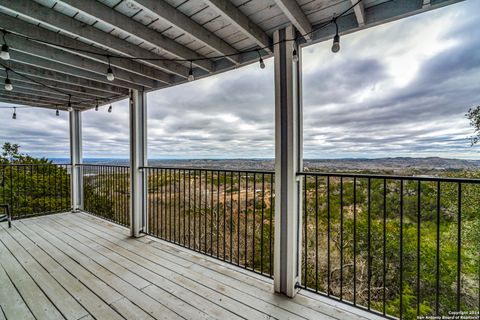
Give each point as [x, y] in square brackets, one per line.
[35, 189]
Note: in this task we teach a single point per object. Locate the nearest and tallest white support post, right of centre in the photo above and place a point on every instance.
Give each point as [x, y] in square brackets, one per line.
[288, 162]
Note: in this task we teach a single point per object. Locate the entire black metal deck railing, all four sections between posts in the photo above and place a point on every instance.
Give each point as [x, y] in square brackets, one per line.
[398, 246]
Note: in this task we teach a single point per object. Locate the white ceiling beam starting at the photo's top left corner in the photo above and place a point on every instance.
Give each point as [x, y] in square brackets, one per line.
[47, 16]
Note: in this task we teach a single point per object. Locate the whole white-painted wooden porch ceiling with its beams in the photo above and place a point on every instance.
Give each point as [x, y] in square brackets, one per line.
[59, 48]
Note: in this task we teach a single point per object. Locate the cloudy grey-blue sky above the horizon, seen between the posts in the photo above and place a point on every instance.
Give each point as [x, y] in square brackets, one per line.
[400, 89]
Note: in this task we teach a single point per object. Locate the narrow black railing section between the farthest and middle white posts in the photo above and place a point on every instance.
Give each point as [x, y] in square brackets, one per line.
[106, 192]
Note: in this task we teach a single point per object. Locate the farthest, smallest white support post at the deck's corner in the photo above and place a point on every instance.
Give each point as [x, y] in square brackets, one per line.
[76, 160]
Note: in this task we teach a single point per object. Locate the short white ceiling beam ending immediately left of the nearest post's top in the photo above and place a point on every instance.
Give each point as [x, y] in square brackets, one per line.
[241, 21]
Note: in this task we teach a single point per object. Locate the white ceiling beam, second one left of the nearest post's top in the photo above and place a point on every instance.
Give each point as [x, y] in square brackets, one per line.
[171, 15]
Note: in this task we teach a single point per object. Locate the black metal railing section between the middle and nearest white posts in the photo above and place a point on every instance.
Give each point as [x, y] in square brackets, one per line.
[224, 214]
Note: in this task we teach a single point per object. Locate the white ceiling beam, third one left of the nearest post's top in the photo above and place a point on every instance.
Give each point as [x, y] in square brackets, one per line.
[119, 21]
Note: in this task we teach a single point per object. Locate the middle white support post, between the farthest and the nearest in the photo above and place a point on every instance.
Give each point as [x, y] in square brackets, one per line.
[138, 159]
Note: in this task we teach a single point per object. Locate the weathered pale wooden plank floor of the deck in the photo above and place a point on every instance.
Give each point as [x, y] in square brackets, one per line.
[75, 266]
